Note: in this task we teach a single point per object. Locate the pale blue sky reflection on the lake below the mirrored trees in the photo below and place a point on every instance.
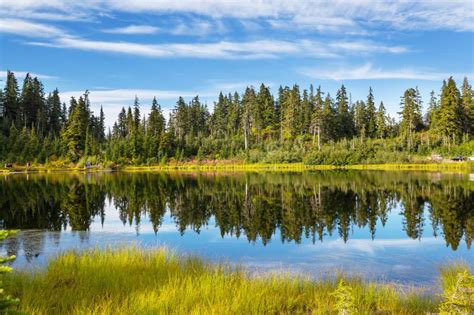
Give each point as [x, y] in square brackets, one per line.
[391, 256]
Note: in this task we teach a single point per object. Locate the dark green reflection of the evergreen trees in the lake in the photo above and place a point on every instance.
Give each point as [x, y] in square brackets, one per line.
[310, 205]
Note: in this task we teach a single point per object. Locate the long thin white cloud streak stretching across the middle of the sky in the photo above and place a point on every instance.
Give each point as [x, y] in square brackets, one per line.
[257, 49]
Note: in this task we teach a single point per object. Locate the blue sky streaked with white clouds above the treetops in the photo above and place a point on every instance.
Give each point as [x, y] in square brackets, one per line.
[119, 49]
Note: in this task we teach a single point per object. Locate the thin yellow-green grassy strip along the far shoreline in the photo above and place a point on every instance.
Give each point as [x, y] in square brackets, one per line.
[461, 167]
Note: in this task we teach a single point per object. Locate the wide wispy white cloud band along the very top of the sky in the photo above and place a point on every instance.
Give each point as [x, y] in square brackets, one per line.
[321, 15]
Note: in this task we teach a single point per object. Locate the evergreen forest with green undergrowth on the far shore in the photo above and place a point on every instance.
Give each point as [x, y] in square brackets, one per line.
[294, 125]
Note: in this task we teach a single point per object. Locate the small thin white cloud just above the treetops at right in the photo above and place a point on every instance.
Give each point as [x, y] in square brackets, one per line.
[368, 72]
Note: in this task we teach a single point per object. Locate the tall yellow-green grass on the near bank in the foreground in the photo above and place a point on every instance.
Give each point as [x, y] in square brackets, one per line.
[134, 281]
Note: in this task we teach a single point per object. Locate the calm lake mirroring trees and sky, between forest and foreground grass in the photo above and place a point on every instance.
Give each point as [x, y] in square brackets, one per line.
[384, 226]
